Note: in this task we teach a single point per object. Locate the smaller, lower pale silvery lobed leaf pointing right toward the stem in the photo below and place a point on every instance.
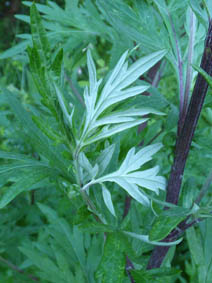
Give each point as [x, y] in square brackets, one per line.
[129, 180]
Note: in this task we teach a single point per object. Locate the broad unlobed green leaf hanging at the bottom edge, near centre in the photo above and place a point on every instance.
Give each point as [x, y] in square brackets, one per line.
[112, 265]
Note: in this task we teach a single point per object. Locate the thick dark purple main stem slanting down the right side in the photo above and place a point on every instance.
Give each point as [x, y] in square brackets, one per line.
[184, 140]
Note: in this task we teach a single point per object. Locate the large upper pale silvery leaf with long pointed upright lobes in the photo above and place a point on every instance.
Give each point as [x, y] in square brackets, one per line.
[115, 90]
